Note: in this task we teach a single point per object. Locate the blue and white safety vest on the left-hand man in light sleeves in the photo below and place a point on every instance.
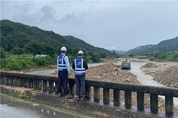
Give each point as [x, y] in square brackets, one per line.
[61, 63]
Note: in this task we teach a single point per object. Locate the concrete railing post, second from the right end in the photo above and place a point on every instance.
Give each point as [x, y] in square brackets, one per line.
[154, 103]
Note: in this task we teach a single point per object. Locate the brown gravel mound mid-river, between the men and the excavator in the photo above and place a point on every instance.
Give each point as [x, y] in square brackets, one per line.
[109, 72]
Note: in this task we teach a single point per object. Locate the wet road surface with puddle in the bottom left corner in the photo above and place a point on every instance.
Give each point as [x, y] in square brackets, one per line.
[11, 107]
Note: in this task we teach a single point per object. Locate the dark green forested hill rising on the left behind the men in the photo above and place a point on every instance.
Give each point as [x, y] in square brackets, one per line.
[18, 34]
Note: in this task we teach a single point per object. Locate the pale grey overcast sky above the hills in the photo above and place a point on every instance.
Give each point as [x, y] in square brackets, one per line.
[110, 24]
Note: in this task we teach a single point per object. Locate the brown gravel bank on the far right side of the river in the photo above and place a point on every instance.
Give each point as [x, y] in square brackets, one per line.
[165, 73]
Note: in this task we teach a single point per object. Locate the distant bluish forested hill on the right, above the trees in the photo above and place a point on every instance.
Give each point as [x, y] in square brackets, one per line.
[170, 45]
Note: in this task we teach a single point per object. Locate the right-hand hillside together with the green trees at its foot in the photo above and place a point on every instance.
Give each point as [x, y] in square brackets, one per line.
[166, 50]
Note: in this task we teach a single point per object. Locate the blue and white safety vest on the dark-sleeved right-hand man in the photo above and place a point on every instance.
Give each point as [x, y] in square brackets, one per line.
[79, 69]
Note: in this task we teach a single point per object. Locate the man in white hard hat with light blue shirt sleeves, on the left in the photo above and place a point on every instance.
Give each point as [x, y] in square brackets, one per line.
[63, 67]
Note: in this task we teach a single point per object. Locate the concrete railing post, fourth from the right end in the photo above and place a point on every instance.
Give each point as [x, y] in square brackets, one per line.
[128, 99]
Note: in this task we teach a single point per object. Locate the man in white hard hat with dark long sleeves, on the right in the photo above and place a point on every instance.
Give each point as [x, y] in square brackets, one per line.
[80, 65]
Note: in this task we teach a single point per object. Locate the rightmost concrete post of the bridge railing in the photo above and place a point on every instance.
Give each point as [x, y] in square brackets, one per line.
[169, 105]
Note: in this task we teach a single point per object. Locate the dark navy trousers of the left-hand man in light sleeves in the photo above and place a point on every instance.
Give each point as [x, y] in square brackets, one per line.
[63, 82]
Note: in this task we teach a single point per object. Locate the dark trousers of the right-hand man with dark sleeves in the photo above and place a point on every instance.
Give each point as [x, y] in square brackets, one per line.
[80, 82]
